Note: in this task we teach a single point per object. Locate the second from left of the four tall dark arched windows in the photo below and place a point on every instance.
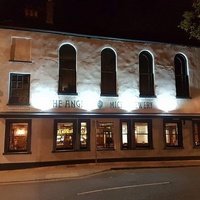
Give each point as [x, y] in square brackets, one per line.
[108, 72]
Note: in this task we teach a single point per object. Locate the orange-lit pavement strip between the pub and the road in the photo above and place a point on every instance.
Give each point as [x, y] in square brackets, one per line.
[62, 172]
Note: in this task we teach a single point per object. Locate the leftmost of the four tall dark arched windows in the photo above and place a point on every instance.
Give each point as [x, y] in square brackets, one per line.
[67, 69]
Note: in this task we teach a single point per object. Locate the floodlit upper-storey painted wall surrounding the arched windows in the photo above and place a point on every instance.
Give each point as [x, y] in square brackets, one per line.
[44, 71]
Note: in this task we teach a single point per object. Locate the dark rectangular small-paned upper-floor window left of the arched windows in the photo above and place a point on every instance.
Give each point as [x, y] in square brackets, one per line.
[19, 89]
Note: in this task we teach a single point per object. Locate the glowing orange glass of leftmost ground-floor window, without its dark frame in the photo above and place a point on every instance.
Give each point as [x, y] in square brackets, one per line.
[18, 136]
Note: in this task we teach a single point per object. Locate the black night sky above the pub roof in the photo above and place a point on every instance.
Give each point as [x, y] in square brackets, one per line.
[154, 20]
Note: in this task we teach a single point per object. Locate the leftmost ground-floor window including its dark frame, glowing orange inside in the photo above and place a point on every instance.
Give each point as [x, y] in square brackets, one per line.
[18, 136]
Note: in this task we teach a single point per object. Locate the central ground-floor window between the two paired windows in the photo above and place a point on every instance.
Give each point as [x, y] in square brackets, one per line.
[104, 135]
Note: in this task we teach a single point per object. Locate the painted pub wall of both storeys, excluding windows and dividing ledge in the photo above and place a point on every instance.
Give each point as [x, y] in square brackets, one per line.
[44, 84]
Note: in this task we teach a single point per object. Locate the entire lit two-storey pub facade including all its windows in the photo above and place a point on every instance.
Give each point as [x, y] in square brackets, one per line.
[74, 98]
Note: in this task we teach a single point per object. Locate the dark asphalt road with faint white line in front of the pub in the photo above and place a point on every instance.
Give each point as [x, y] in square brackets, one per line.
[132, 184]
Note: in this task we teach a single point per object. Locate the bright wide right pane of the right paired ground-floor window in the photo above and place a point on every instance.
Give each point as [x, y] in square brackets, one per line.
[141, 133]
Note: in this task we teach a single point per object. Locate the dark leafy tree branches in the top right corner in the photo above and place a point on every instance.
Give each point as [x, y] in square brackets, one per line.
[191, 21]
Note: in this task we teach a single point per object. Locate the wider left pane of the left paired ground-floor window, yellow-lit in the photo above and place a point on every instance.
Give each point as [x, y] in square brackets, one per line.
[64, 139]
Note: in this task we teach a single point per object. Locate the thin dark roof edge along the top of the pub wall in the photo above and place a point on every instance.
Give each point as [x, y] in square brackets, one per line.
[90, 36]
